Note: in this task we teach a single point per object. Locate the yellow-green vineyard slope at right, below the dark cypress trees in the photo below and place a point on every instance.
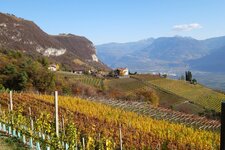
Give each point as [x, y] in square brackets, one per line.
[195, 93]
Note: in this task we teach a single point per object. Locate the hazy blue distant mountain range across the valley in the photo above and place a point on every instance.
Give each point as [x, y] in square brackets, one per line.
[167, 54]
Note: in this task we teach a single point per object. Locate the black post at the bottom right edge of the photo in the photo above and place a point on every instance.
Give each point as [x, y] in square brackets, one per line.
[222, 136]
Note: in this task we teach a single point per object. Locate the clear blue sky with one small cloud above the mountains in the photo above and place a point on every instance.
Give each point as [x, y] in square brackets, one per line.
[104, 21]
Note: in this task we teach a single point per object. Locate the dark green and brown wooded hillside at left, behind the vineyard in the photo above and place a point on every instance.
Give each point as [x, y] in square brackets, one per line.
[19, 71]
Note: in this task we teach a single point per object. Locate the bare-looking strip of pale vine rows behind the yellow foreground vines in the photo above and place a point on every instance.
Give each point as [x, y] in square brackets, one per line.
[160, 113]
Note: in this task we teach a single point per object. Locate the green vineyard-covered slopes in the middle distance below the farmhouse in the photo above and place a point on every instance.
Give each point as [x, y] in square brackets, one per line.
[173, 94]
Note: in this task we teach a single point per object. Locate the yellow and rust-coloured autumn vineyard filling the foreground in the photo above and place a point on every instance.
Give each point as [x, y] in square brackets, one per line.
[90, 124]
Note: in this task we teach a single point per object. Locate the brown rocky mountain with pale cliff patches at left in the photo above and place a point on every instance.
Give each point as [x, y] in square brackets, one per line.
[72, 51]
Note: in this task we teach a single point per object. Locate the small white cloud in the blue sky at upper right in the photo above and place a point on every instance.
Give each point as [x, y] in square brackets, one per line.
[187, 27]
